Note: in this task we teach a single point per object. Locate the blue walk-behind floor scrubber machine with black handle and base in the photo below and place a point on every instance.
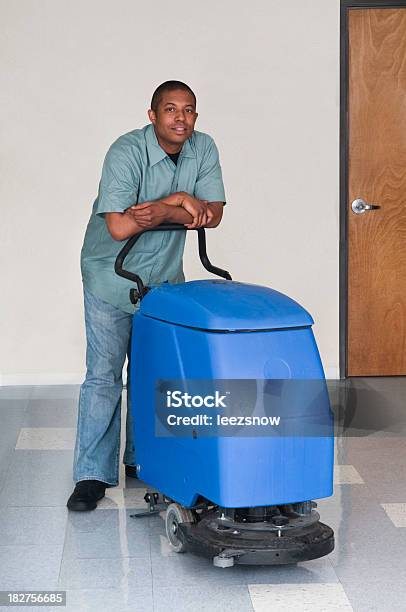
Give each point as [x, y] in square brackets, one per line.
[232, 422]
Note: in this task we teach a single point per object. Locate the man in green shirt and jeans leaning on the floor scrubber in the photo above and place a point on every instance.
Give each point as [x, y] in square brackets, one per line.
[164, 172]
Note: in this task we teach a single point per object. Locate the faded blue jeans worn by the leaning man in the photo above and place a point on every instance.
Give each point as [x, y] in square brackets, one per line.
[97, 449]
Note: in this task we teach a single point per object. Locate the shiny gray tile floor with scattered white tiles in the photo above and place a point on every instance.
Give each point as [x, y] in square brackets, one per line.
[106, 560]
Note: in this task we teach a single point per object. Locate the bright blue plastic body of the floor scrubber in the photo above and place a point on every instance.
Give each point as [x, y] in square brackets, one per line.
[221, 329]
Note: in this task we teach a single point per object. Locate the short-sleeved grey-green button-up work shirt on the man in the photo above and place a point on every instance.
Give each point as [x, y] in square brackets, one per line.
[136, 169]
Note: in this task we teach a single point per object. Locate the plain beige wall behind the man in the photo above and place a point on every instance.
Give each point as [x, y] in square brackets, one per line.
[76, 74]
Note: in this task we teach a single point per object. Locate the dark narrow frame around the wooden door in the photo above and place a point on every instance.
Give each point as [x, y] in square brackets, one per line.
[345, 5]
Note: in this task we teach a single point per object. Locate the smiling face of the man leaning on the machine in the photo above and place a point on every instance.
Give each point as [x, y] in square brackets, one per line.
[174, 120]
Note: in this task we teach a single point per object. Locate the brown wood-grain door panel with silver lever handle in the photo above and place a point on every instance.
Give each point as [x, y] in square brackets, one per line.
[377, 174]
